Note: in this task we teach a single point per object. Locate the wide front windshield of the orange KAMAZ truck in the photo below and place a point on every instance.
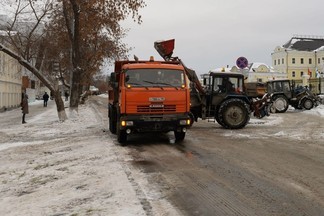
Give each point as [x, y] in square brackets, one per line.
[154, 78]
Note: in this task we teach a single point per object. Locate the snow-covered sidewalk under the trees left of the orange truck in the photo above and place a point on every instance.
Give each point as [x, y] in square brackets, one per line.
[70, 168]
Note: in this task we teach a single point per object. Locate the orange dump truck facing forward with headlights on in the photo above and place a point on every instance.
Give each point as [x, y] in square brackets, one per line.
[148, 96]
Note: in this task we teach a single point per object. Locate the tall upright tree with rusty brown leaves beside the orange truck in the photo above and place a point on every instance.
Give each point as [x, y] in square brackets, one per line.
[94, 30]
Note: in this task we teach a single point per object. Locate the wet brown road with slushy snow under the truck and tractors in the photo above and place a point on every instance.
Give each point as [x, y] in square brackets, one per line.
[266, 168]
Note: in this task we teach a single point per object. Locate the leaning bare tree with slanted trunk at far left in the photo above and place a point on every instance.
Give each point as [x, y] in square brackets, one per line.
[26, 34]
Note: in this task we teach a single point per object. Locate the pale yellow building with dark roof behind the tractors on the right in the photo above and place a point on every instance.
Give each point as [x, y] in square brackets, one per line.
[301, 56]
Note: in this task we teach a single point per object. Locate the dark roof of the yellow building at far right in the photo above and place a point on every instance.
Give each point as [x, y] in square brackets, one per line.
[305, 43]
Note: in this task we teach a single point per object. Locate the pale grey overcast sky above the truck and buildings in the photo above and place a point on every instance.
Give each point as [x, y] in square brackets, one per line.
[214, 33]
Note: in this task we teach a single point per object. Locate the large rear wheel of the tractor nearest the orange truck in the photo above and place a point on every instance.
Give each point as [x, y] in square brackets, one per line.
[234, 114]
